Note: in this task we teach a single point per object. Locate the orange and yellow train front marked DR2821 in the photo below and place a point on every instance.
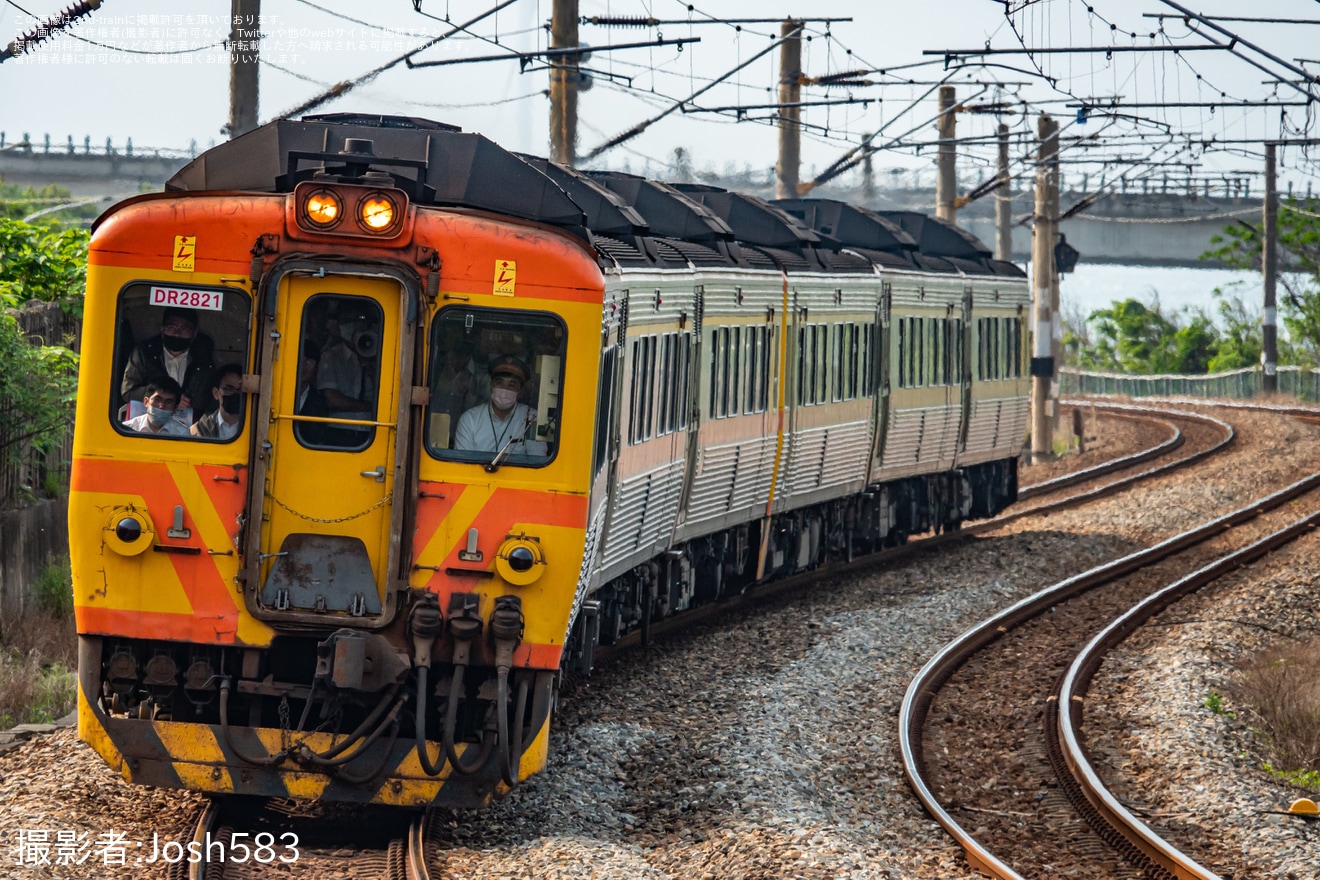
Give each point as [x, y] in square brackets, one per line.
[331, 491]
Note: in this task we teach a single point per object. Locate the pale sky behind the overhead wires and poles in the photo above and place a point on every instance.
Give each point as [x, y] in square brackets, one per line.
[69, 88]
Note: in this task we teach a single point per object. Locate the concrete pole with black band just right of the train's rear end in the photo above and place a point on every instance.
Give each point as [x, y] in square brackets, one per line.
[1043, 284]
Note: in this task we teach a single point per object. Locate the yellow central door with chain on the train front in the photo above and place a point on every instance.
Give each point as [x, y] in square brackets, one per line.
[332, 375]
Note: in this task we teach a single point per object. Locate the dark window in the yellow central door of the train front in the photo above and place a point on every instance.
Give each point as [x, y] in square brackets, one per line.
[339, 371]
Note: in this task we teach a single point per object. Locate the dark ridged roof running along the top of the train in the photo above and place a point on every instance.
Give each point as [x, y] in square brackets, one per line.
[632, 221]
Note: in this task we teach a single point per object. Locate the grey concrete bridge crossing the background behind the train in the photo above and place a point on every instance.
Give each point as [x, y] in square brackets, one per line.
[1140, 229]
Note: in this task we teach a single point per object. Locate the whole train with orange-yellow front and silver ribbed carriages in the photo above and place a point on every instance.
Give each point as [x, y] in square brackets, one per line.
[383, 431]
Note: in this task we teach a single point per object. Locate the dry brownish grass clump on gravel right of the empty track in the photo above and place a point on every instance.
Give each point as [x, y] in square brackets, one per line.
[1281, 692]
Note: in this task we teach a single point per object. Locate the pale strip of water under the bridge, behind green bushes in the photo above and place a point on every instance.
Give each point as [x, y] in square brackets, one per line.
[1175, 288]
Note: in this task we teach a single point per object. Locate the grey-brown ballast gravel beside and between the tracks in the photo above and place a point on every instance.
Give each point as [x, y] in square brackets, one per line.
[766, 746]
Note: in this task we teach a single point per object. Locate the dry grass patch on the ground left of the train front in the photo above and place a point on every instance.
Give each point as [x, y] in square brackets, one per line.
[39, 654]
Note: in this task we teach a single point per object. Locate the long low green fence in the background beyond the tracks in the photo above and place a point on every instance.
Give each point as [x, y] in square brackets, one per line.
[1294, 382]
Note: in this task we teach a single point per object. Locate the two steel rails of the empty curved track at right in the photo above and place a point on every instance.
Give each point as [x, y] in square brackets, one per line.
[1142, 850]
